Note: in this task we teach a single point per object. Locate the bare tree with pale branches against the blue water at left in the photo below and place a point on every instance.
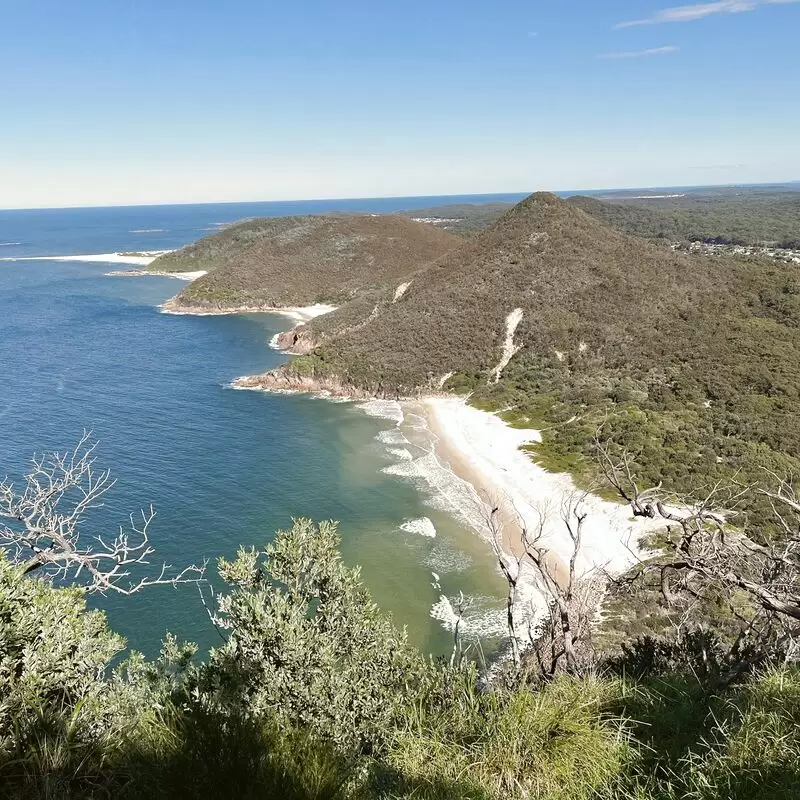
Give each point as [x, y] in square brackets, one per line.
[42, 521]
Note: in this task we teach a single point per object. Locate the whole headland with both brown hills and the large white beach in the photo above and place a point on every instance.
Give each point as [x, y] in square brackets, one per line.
[516, 345]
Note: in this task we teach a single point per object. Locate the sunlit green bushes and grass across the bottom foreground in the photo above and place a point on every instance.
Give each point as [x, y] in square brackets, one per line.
[316, 694]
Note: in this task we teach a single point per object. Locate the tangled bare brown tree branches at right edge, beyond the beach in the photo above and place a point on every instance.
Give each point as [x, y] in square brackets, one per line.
[713, 550]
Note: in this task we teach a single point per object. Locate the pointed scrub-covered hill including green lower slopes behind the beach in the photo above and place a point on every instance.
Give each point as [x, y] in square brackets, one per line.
[690, 360]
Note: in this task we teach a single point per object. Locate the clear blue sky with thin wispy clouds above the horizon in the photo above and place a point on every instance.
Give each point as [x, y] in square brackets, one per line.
[194, 101]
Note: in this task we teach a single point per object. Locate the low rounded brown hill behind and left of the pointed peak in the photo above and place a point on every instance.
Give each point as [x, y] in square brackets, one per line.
[298, 261]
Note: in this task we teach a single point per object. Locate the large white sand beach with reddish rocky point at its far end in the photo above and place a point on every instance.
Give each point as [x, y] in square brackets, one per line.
[485, 452]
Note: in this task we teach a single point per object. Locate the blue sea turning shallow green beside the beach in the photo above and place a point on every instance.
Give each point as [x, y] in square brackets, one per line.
[80, 350]
